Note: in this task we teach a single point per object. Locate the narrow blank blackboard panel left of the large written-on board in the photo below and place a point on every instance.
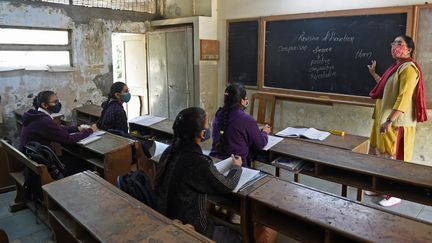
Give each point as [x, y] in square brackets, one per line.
[243, 52]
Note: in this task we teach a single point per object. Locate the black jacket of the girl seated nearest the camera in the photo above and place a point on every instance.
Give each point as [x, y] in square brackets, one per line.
[184, 178]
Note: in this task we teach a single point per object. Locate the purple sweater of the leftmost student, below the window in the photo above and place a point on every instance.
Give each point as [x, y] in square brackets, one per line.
[39, 127]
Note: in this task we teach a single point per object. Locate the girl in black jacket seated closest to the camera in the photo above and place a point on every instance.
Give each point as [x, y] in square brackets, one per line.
[184, 177]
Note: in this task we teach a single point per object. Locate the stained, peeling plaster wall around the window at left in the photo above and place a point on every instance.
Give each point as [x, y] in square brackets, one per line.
[91, 55]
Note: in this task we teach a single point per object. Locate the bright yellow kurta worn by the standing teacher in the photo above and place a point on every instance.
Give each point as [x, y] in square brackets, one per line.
[399, 94]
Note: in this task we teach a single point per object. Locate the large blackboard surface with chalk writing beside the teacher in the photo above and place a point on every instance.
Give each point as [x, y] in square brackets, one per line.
[329, 54]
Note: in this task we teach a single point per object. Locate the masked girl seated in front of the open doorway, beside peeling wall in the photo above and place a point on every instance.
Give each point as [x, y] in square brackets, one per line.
[114, 119]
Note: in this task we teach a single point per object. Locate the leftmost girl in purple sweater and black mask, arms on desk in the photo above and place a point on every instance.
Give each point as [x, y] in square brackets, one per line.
[39, 126]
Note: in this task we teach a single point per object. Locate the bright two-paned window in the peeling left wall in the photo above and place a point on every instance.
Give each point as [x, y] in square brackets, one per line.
[34, 49]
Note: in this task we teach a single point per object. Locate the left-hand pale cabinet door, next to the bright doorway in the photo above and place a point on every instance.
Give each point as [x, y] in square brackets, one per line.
[157, 73]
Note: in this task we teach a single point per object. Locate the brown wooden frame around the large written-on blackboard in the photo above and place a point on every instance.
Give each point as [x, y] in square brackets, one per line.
[318, 97]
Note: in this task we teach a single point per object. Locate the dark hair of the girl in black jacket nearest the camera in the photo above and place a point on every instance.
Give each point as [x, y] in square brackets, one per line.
[189, 123]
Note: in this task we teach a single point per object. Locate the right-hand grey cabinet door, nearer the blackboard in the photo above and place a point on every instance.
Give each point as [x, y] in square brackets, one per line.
[179, 70]
